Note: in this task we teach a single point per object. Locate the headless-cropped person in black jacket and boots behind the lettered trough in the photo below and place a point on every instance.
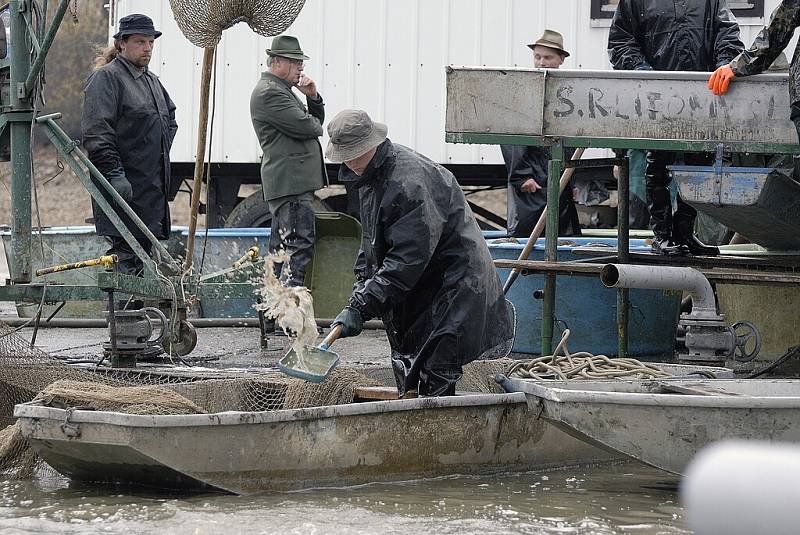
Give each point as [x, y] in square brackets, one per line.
[672, 35]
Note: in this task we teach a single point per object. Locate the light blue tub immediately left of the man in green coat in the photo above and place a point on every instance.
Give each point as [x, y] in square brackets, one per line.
[223, 247]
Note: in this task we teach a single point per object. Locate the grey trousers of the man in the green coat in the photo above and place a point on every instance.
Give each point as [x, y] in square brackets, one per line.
[293, 232]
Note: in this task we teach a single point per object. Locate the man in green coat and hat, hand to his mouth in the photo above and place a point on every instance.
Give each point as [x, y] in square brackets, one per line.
[292, 166]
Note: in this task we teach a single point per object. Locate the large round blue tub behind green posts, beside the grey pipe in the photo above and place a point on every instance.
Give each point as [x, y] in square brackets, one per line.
[588, 308]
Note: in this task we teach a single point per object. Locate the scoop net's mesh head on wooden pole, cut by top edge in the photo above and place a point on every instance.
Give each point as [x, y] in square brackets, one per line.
[203, 21]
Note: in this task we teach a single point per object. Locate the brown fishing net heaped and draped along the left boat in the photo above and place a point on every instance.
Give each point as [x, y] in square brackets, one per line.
[28, 373]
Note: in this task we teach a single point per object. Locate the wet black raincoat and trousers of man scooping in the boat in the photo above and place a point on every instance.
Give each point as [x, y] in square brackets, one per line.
[425, 269]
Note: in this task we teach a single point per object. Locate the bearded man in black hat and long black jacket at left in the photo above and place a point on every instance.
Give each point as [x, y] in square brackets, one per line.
[128, 127]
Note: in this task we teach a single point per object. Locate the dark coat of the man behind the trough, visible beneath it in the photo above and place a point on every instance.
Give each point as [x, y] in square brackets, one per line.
[524, 209]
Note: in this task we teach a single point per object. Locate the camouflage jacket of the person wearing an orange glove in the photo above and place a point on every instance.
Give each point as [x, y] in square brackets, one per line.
[770, 42]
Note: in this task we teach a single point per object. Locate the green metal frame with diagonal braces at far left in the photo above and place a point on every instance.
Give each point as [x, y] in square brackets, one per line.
[163, 278]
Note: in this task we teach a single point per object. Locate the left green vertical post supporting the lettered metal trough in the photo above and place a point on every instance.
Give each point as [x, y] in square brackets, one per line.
[551, 246]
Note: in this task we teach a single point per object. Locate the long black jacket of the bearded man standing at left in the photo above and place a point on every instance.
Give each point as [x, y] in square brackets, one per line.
[128, 127]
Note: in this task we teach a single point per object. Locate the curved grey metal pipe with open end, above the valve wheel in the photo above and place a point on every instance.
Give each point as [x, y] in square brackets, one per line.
[664, 278]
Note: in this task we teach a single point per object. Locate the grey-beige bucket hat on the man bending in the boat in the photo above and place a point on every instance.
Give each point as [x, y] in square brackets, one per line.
[353, 133]
